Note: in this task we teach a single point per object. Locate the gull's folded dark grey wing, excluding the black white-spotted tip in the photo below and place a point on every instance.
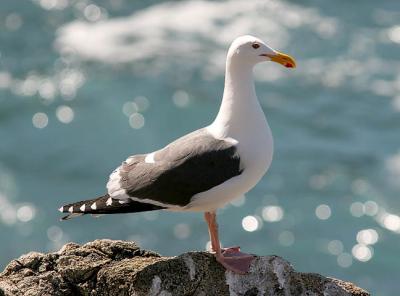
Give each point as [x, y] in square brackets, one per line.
[192, 164]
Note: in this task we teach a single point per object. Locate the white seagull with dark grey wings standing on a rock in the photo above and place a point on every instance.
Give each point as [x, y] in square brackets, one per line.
[205, 169]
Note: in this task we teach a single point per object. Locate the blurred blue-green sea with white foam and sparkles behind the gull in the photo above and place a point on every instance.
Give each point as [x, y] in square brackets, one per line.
[84, 84]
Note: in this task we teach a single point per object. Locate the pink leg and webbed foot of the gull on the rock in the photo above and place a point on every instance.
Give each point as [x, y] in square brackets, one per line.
[231, 258]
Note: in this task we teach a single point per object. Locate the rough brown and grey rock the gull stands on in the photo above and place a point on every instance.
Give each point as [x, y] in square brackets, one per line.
[107, 267]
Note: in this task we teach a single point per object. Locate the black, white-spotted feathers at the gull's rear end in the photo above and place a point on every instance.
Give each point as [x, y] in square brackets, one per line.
[105, 205]
